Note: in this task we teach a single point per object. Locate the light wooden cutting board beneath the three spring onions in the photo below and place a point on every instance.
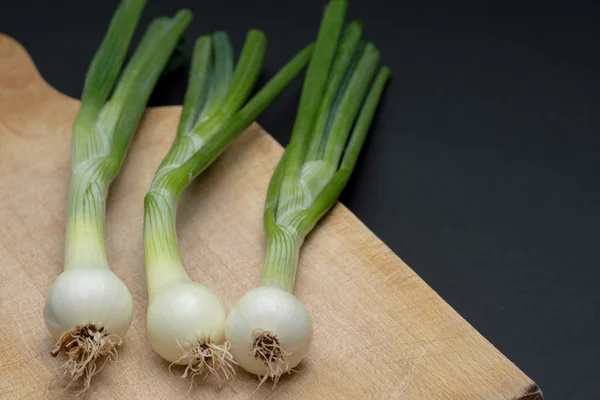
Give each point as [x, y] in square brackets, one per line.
[380, 331]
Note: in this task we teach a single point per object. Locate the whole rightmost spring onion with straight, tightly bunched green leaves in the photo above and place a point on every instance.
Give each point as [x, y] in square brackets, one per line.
[269, 329]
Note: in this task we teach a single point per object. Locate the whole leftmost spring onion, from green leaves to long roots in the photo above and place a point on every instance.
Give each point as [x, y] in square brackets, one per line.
[89, 309]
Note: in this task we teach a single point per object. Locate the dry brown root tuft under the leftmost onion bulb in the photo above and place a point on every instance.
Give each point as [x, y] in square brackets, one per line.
[84, 345]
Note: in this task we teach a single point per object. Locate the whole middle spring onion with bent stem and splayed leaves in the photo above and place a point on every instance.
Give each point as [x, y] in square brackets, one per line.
[185, 320]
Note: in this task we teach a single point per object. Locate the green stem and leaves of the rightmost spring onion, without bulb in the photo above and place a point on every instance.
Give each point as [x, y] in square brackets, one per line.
[320, 157]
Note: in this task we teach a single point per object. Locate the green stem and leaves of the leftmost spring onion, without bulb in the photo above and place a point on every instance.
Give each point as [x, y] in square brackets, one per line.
[101, 139]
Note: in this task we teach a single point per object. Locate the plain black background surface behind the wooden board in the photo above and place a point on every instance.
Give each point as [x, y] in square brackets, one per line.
[482, 167]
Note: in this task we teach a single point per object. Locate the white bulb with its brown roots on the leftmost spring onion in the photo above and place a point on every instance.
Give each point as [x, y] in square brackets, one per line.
[88, 311]
